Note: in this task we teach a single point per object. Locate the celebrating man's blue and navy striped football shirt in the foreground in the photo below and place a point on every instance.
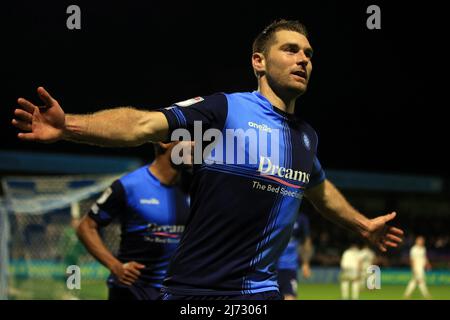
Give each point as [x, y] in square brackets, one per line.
[241, 219]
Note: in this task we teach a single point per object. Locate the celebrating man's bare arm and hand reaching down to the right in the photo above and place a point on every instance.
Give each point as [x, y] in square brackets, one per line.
[332, 205]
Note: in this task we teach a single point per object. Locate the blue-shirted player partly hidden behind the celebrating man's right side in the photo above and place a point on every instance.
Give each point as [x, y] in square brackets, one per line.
[288, 264]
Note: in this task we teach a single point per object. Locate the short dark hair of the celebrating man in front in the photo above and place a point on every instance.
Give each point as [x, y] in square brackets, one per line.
[264, 40]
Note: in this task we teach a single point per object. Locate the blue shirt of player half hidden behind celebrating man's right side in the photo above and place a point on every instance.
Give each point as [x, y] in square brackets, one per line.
[301, 230]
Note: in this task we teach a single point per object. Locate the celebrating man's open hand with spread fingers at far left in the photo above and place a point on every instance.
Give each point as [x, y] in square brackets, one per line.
[40, 123]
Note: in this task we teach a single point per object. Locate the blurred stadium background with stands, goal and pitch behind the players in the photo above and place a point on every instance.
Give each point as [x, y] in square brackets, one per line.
[38, 241]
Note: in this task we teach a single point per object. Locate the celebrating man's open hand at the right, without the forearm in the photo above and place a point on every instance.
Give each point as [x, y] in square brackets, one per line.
[383, 236]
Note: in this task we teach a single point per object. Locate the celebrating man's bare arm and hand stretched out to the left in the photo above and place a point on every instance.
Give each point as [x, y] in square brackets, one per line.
[119, 127]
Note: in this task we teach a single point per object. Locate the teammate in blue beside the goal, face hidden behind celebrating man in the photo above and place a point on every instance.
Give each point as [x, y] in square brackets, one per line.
[152, 211]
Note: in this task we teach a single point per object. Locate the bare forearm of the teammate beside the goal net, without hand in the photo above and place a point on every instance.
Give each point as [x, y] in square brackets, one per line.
[94, 244]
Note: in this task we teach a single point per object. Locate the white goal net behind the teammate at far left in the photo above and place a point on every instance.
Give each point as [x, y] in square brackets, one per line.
[38, 241]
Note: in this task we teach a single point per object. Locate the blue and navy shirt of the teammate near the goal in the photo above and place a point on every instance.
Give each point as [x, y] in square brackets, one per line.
[152, 217]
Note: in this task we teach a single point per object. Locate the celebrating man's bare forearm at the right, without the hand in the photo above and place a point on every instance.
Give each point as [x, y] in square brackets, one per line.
[333, 206]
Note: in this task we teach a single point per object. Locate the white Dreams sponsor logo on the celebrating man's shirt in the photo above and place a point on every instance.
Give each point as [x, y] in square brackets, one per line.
[273, 171]
